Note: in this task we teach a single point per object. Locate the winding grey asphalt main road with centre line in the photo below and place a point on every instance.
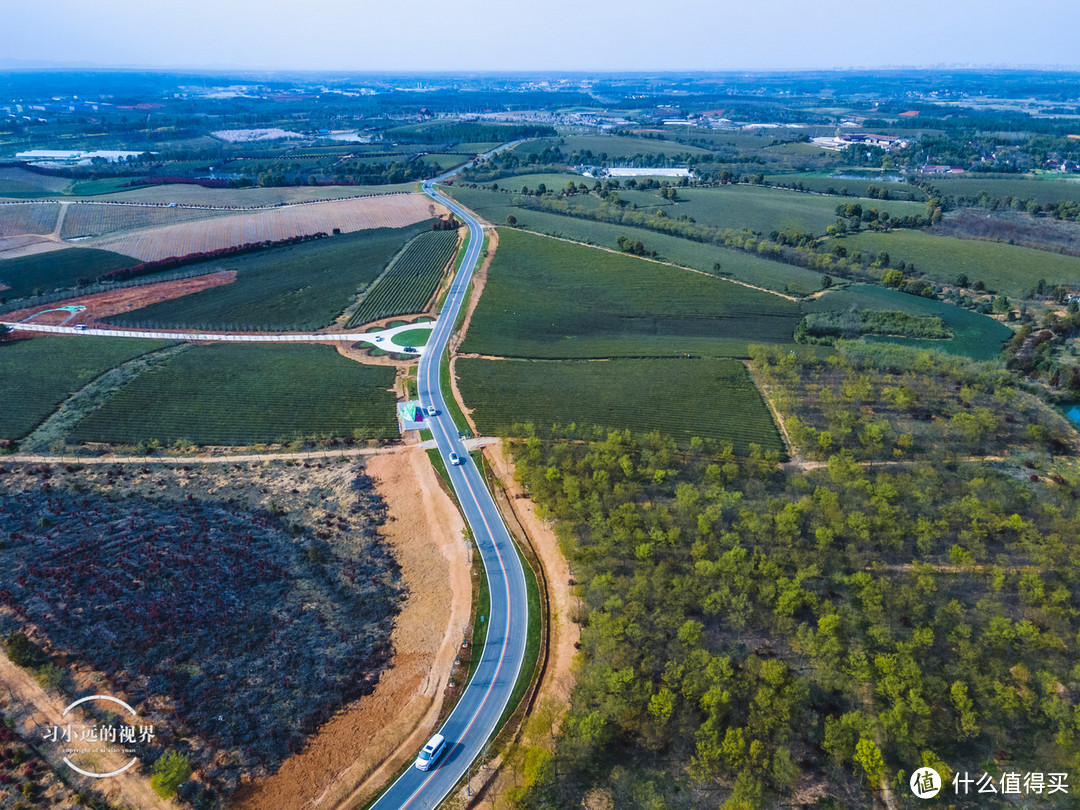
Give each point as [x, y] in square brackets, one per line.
[477, 715]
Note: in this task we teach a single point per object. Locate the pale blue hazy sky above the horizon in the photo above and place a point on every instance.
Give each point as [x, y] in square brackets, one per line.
[550, 35]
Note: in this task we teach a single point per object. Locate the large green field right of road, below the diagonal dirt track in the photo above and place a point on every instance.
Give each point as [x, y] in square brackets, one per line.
[548, 299]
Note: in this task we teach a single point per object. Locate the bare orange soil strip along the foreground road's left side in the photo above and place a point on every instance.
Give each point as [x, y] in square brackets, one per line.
[354, 754]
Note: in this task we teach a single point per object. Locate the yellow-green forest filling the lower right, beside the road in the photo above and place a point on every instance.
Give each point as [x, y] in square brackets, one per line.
[753, 637]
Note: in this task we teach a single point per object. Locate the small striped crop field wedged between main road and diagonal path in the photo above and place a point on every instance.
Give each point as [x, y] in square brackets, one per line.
[412, 279]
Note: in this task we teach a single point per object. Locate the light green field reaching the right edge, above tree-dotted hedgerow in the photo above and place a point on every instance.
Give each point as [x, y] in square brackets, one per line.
[1005, 268]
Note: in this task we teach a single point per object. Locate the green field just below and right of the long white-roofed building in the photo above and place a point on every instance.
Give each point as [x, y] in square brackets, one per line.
[765, 210]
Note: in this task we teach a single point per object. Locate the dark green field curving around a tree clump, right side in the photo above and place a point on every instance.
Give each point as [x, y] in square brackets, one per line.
[975, 335]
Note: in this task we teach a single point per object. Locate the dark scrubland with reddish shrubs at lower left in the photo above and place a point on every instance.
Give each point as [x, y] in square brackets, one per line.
[331, 532]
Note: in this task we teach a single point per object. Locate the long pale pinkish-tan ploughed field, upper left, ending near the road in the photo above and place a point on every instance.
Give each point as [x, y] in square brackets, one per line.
[293, 221]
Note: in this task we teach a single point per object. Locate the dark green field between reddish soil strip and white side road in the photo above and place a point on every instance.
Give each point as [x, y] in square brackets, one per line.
[302, 287]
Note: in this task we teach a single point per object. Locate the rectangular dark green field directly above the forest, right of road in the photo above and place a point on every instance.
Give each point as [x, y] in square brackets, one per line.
[710, 399]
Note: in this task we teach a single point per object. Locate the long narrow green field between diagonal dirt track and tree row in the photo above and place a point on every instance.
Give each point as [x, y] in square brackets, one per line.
[495, 207]
